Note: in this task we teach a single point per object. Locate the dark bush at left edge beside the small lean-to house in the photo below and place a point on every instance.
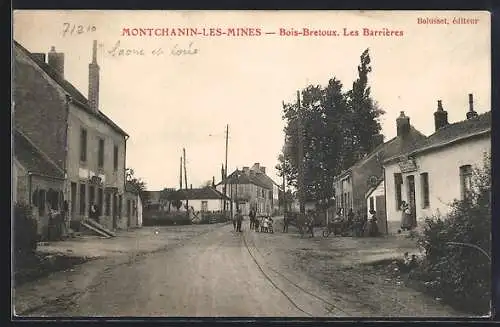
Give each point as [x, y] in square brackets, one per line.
[25, 230]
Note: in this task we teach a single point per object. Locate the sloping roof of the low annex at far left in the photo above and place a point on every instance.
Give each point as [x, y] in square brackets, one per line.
[33, 159]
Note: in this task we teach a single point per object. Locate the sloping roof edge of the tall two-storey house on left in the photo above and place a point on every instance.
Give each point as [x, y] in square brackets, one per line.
[72, 91]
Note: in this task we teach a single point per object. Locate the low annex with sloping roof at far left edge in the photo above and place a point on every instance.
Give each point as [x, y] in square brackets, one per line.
[36, 180]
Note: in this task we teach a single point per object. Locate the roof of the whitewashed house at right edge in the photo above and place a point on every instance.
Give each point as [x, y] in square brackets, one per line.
[452, 133]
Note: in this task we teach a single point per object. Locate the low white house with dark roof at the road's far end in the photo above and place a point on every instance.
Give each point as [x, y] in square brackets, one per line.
[206, 199]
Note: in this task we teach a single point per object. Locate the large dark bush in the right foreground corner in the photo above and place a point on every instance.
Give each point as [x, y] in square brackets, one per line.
[460, 273]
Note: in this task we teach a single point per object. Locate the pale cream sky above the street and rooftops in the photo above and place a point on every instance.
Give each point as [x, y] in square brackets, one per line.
[176, 99]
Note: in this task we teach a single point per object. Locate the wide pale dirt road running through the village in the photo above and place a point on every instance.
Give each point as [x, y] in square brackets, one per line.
[220, 273]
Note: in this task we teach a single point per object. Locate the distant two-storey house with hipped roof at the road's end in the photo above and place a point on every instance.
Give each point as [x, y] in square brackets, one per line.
[251, 188]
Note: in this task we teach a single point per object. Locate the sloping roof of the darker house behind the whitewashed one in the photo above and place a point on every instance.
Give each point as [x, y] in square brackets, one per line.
[394, 147]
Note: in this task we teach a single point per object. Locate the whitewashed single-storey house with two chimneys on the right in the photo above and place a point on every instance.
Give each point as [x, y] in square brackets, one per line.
[439, 171]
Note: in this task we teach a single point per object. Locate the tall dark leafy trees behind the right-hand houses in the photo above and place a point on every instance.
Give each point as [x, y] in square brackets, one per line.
[337, 129]
